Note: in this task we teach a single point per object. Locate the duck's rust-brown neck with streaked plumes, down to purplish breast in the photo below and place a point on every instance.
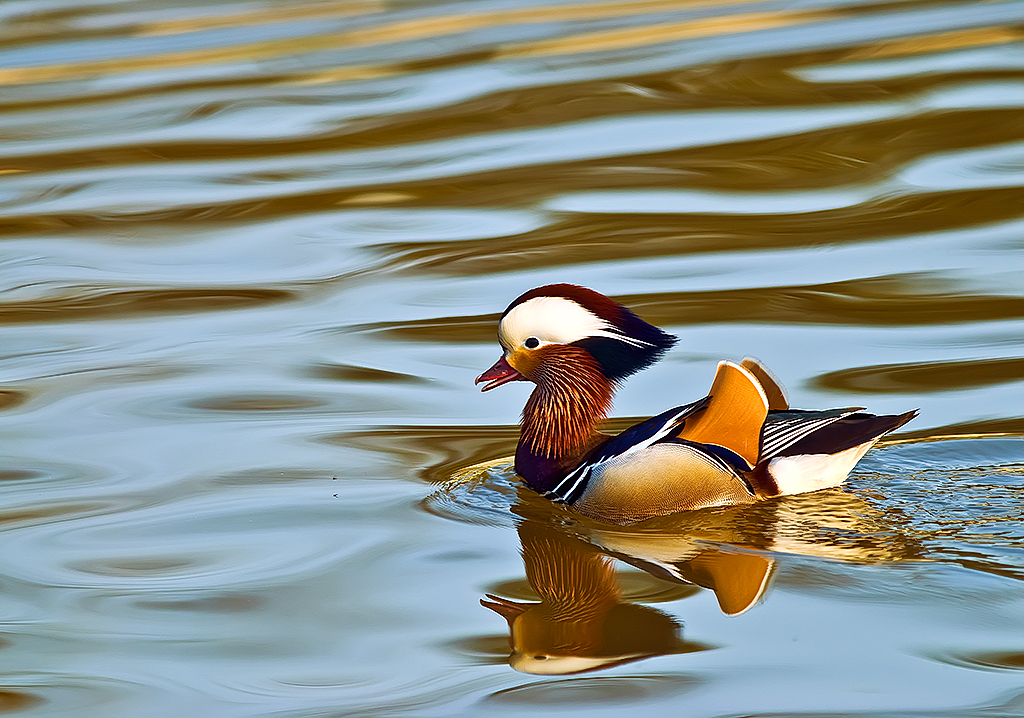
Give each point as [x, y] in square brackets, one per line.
[559, 423]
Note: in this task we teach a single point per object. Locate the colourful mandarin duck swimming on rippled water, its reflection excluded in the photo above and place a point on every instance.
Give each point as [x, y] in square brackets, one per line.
[740, 445]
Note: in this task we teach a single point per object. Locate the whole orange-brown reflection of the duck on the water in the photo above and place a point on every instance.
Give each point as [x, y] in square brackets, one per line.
[583, 621]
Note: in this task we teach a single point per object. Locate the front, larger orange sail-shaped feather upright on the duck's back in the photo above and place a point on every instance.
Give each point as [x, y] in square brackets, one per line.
[737, 410]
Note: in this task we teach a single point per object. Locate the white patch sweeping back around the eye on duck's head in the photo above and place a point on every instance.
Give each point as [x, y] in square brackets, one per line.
[556, 321]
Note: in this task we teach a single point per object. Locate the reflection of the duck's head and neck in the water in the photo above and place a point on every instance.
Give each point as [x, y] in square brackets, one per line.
[582, 623]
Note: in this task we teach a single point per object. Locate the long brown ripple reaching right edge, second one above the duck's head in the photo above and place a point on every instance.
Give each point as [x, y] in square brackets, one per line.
[619, 237]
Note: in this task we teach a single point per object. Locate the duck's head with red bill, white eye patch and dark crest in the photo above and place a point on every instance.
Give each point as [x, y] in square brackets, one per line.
[550, 329]
